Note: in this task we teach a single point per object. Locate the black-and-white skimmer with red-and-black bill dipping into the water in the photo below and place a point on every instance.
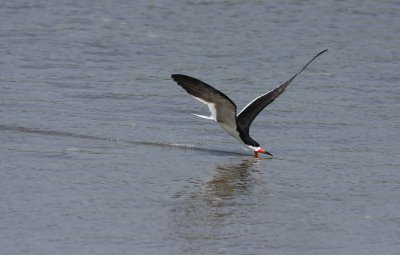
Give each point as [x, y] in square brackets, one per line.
[223, 109]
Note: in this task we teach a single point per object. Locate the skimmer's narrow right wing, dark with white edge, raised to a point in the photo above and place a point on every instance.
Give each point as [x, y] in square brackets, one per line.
[247, 115]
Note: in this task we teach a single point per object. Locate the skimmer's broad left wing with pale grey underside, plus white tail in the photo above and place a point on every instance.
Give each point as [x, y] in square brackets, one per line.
[222, 109]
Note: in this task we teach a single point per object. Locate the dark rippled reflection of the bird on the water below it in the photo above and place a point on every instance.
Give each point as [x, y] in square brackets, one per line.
[205, 208]
